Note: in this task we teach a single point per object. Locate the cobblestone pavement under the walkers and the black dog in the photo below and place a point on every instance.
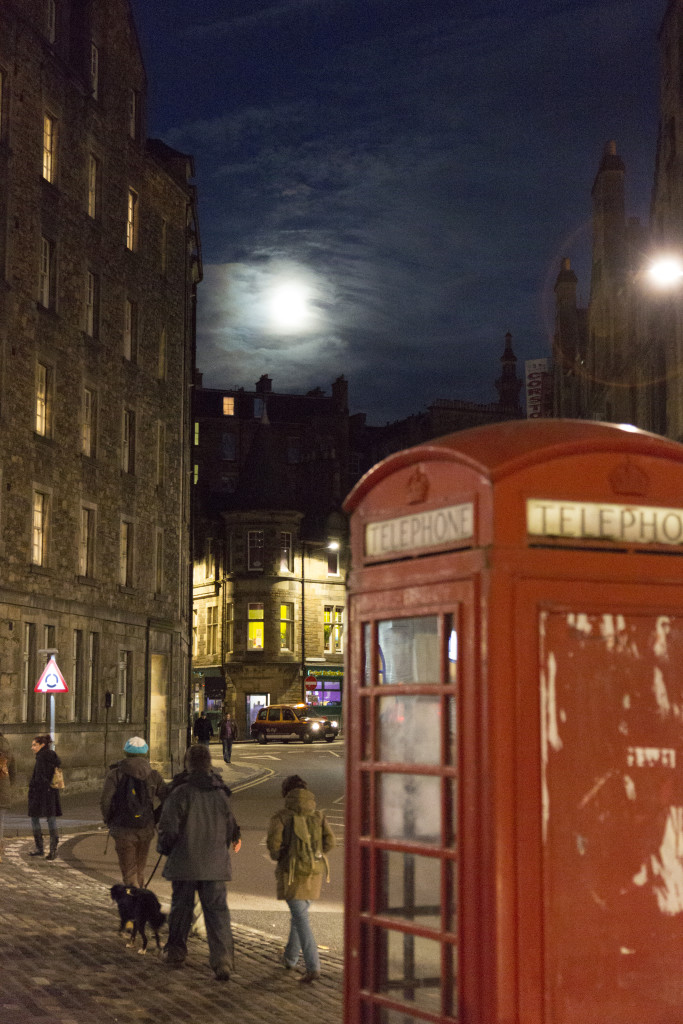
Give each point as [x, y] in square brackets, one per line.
[64, 963]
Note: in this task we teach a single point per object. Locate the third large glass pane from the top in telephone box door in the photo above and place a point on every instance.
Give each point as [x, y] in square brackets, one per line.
[410, 807]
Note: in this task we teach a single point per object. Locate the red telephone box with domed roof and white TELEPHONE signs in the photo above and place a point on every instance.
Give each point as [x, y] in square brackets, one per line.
[516, 731]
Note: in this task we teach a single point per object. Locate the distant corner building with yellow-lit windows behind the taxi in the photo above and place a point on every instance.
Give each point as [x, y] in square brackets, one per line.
[271, 553]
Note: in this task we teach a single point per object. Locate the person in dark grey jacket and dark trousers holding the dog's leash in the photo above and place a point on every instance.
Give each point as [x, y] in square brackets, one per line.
[196, 831]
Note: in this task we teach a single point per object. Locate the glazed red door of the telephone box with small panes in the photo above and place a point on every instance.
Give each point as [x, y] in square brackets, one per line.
[414, 651]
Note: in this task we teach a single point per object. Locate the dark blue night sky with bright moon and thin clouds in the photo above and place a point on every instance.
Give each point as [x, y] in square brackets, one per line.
[388, 187]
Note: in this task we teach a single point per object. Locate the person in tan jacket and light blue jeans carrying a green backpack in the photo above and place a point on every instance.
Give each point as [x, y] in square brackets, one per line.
[300, 839]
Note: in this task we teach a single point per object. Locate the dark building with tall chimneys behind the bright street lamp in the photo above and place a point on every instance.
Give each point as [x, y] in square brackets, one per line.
[621, 359]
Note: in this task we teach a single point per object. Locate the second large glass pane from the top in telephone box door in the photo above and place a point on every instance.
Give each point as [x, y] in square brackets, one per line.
[410, 730]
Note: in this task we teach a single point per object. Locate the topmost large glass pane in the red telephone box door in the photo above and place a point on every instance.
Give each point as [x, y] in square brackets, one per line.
[409, 651]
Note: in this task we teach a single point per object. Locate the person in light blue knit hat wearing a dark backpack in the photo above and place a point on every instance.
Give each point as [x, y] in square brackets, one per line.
[133, 795]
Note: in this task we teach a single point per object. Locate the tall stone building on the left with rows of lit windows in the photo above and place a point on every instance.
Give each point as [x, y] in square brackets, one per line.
[100, 263]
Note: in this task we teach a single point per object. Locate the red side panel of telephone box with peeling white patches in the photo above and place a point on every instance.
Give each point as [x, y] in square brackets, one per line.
[612, 754]
